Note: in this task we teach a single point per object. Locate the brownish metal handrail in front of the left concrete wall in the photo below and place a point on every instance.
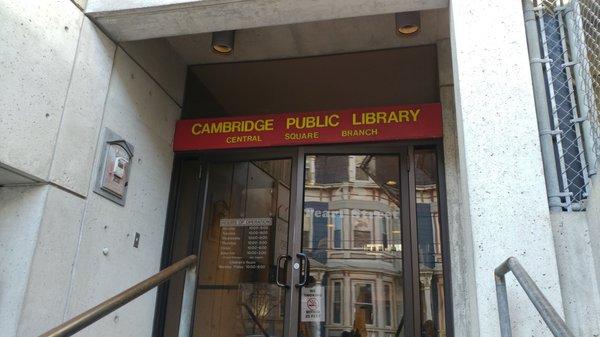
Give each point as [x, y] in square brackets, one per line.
[85, 319]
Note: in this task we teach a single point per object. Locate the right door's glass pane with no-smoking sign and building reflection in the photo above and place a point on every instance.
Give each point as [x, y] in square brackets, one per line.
[353, 235]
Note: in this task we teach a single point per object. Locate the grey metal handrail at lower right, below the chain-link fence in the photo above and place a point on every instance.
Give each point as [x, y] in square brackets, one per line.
[555, 323]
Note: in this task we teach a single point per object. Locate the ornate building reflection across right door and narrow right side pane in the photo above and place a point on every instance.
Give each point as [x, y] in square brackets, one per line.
[352, 231]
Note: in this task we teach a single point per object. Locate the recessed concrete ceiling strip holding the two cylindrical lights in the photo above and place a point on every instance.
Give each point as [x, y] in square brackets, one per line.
[314, 38]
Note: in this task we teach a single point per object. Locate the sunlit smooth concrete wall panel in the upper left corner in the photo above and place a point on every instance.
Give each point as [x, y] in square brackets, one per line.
[38, 48]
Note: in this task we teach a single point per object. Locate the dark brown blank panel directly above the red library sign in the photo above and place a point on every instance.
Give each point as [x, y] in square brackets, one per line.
[374, 78]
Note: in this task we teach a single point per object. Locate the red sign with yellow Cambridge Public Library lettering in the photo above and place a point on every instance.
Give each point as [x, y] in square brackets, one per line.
[398, 122]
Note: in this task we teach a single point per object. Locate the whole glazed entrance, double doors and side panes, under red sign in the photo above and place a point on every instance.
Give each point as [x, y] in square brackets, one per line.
[341, 241]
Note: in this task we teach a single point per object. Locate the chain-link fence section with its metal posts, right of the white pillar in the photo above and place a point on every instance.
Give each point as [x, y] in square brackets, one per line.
[564, 48]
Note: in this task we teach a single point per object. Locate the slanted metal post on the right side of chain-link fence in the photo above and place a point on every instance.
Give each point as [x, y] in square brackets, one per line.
[578, 71]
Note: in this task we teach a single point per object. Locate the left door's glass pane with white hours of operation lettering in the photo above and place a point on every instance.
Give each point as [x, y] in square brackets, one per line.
[241, 286]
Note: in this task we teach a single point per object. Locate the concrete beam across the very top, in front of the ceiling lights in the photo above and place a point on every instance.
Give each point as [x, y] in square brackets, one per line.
[130, 20]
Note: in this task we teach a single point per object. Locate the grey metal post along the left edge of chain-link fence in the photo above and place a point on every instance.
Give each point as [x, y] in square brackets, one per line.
[541, 107]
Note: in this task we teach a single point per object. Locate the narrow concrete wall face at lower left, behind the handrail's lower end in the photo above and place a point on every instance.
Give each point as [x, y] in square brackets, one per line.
[48, 282]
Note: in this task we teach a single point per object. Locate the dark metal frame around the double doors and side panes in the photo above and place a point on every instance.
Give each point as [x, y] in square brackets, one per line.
[297, 154]
